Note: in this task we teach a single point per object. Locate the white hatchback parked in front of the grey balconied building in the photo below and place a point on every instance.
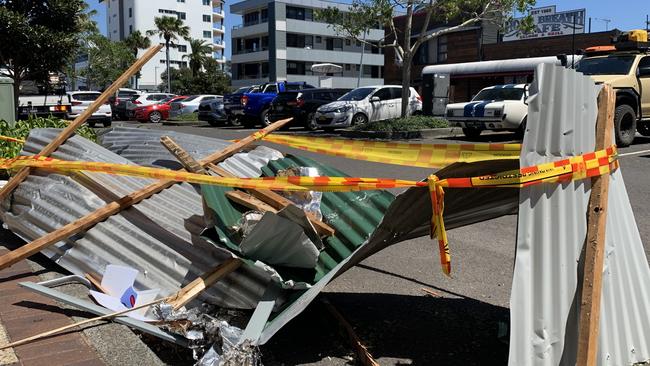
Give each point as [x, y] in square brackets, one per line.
[366, 104]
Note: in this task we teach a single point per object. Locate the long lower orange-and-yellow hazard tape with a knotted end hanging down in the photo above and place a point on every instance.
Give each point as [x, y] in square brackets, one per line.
[574, 168]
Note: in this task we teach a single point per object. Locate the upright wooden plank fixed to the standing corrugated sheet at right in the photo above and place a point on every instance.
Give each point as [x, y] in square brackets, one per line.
[595, 243]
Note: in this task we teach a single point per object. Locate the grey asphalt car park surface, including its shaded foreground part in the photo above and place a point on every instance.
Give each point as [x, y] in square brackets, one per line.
[382, 296]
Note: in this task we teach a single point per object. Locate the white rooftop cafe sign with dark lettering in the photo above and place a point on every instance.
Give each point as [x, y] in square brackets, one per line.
[547, 23]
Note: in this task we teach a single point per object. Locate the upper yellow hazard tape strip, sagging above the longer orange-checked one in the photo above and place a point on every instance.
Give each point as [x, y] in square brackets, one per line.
[407, 154]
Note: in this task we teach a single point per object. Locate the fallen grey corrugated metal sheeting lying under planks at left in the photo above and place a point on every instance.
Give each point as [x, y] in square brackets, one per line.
[159, 236]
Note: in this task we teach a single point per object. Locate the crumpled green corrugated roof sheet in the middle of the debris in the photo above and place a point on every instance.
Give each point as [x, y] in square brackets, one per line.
[354, 216]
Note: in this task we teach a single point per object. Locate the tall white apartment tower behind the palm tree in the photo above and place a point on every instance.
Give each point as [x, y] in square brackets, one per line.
[204, 17]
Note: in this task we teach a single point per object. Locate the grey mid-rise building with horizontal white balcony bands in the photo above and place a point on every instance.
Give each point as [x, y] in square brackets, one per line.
[281, 40]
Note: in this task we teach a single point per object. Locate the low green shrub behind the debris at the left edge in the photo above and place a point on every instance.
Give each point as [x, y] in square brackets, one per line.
[21, 130]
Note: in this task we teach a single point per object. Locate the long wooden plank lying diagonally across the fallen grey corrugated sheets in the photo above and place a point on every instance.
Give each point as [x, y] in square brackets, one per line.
[114, 207]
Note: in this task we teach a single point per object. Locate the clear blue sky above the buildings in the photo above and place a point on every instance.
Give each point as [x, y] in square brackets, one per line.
[624, 15]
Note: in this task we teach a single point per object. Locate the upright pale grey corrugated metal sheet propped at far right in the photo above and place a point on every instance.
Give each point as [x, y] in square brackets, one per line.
[551, 234]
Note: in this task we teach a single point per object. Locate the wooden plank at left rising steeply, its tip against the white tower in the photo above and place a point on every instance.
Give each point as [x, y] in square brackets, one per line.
[92, 108]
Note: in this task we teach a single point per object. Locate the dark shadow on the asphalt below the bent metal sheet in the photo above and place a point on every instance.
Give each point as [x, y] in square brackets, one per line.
[418, 330]
